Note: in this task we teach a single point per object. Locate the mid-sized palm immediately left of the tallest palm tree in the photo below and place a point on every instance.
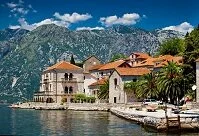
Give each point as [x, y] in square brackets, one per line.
[147, 86]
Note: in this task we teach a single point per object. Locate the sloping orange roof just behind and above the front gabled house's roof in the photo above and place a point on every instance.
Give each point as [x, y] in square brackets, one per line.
[112, 65]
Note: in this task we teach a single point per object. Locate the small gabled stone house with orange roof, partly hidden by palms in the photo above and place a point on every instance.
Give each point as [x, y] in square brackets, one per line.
[117, 80]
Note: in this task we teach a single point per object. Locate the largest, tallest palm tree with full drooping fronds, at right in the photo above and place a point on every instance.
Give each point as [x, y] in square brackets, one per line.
[170, 82]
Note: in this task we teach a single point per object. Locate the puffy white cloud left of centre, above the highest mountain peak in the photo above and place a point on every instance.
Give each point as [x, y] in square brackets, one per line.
[73, 18]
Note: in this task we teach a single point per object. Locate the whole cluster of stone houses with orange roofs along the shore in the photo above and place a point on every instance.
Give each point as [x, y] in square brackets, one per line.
[61, 81]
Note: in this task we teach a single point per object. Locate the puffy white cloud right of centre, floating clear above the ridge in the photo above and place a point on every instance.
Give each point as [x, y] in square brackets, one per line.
[126, 19]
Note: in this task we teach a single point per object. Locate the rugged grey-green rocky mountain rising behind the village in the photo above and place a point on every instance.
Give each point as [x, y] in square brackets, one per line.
[31, 52]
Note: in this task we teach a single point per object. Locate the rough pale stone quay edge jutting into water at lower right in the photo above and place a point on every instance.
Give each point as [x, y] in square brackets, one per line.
[160, 124]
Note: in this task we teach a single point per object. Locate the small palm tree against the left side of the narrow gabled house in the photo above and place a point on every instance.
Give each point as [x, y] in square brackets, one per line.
[103, 92]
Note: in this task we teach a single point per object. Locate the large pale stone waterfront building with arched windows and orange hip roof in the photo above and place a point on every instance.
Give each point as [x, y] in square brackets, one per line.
[59, 83]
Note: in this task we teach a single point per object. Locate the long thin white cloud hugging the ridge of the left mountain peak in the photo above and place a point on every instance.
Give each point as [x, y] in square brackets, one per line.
[25, 25]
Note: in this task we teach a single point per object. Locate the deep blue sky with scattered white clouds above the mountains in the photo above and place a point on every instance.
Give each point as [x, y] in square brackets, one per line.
[180, 15]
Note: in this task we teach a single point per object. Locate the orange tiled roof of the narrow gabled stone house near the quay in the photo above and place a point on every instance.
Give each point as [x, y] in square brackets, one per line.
[132, 71]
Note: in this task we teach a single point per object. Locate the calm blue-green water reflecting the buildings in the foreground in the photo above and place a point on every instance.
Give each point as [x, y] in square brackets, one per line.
[67, 123]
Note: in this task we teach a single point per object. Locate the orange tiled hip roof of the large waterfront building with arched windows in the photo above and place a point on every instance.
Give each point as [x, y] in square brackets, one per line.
[63, 65]
